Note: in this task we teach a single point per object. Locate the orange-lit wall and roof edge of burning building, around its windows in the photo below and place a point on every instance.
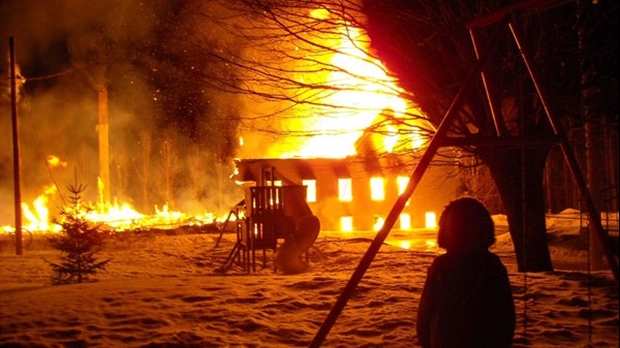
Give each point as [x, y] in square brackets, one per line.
[436, 189]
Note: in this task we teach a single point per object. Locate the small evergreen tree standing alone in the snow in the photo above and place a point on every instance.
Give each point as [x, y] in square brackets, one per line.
[78, 243]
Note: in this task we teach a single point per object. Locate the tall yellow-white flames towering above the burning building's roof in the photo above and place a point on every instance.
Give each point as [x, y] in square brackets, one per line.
[360, 90]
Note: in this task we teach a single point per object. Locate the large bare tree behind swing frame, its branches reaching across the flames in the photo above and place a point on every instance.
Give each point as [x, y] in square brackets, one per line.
[281, 54]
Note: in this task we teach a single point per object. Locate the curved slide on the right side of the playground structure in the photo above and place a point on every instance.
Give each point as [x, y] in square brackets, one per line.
[289, 255]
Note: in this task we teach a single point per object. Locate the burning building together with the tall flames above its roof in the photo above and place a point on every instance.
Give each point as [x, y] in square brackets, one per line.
[359, 145]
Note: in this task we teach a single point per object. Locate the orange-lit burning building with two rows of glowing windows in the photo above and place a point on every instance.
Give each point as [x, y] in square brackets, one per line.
[355, 193]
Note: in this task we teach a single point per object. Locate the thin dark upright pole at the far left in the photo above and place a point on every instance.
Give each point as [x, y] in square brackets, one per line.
[16, 159]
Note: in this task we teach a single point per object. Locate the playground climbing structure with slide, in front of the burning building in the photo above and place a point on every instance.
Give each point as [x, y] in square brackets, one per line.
[276, 219]
